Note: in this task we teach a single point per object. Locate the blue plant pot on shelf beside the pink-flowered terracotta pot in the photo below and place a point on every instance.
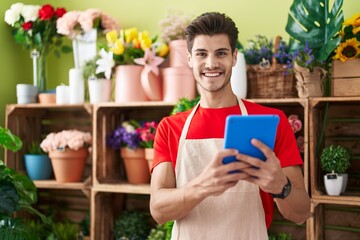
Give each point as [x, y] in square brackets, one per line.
[38, 166]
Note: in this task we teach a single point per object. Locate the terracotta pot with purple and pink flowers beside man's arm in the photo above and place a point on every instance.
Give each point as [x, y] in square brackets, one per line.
[127, 138]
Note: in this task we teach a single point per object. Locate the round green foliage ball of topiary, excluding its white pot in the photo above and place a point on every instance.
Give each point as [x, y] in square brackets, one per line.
[335, 159]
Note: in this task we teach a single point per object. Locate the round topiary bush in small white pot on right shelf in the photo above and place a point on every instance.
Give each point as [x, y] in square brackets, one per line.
[335, 160]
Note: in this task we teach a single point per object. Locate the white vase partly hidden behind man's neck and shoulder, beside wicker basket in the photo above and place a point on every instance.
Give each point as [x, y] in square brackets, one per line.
[238, 77]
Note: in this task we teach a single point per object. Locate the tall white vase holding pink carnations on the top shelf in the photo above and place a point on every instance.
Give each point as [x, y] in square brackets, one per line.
[84, 47]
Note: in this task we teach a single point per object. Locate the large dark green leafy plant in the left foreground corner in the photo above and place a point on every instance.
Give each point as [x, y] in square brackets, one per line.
[17, 192]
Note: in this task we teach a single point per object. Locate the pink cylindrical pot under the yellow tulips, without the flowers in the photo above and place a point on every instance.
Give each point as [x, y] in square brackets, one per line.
[128, 85]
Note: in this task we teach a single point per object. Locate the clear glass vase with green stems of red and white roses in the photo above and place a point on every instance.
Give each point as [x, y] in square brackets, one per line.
[39, 70]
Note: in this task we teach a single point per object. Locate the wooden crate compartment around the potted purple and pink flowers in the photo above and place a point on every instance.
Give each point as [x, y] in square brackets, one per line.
[108, 166]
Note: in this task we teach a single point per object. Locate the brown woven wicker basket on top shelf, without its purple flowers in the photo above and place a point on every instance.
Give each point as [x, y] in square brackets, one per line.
[274, 81]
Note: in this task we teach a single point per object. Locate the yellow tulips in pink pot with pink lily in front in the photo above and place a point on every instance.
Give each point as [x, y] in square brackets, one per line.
[135, 82]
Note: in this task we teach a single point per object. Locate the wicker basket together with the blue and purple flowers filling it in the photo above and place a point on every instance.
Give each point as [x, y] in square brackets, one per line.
[267, 72]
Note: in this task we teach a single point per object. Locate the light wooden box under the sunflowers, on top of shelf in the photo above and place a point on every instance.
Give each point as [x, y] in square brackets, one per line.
[345, 78]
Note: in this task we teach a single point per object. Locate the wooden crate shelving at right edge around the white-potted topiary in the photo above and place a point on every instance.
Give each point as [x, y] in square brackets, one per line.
[333, 121]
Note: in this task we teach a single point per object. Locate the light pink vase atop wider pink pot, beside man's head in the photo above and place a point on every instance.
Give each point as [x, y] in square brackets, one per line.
[178, 53]
